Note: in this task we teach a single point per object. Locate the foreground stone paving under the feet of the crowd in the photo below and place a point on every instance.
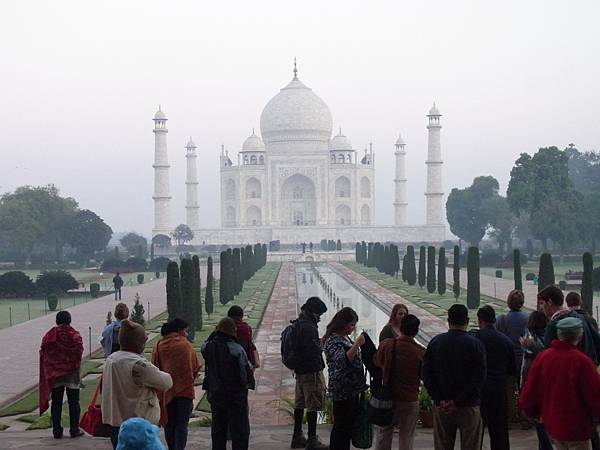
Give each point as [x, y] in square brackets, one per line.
[261, 438]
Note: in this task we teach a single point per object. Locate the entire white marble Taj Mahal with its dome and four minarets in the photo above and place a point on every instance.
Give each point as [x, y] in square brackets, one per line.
[295, 182]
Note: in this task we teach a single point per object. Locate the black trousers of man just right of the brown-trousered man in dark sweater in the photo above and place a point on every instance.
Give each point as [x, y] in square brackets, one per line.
[493, 413]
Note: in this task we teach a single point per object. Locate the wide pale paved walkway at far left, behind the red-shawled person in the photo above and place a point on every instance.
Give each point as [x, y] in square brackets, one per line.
[19, 344]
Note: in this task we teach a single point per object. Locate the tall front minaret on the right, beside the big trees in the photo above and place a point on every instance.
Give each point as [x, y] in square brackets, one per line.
[434, 194]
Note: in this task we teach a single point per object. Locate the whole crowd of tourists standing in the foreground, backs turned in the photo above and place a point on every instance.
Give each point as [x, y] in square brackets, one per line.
[536, 370]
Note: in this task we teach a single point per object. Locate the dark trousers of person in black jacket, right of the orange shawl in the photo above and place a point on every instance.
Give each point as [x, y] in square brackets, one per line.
[233, 418]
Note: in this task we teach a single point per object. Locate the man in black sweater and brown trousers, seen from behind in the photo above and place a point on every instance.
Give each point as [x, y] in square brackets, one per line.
[454, 369]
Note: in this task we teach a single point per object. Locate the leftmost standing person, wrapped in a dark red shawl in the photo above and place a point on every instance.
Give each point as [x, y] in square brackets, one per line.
[60, 360]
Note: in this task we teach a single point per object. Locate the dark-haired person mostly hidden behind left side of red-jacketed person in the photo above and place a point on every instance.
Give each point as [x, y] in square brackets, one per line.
[533, 344]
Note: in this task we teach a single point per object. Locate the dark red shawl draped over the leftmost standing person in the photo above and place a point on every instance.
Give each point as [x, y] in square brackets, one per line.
[60, 354]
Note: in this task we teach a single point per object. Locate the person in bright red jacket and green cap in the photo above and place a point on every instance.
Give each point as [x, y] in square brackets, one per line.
[563, 388]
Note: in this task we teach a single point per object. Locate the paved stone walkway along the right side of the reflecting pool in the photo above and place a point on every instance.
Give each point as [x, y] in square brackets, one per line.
[430, 324]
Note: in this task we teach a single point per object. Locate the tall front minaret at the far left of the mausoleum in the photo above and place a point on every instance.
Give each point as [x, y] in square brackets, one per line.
[162, 199]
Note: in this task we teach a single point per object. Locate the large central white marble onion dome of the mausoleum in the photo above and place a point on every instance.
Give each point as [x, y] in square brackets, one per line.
[296, 113]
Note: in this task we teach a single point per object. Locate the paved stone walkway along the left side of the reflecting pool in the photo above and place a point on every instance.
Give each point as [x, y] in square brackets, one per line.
[273, 379]
